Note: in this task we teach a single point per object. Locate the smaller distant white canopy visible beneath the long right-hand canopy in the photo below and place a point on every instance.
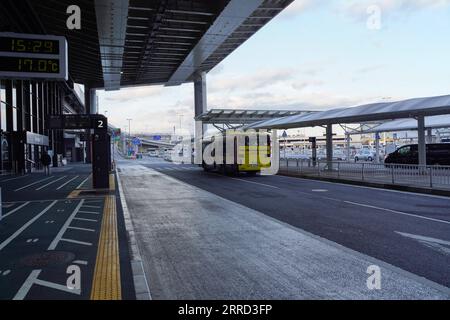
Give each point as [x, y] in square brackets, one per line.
[433, 122]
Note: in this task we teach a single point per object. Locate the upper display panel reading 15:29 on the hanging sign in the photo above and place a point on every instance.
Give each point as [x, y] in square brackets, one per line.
[10, 44]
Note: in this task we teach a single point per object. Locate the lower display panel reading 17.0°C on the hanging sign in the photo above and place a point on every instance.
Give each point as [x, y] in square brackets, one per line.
[34, 65]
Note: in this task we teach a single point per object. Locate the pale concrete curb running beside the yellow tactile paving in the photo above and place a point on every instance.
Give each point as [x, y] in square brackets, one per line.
[141, 287]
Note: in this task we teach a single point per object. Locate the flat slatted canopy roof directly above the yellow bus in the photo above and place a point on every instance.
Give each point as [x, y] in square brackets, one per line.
[236, 116]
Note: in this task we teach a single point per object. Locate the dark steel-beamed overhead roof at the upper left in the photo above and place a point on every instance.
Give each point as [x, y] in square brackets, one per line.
[143, 42]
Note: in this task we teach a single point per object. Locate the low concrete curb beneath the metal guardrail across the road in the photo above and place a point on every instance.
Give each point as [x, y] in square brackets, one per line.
[435, 192]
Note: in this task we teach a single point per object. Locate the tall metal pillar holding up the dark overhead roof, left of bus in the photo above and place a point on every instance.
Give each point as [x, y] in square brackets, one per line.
[201, 106]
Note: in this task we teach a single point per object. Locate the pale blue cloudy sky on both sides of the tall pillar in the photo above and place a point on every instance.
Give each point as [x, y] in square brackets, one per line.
[318, 54]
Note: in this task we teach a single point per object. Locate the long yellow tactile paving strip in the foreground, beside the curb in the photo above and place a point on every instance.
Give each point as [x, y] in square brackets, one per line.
[106, 282]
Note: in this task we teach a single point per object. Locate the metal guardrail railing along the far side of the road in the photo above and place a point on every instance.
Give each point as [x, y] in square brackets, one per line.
[435, 177]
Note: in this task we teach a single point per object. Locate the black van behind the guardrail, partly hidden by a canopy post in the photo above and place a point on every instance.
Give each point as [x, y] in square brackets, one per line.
[437, 154]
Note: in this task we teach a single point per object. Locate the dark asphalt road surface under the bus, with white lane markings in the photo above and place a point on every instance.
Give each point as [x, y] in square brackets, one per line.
[410, 231]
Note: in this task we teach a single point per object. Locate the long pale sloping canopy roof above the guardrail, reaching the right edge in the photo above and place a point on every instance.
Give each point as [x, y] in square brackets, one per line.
[410, 108]
